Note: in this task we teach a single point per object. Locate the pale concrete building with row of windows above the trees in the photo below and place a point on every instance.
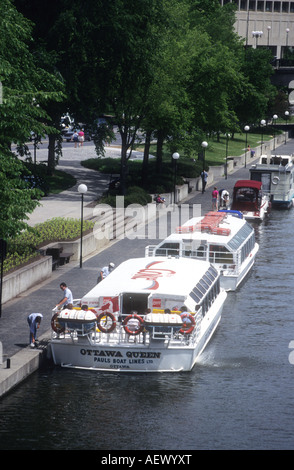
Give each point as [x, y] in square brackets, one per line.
[267, 23]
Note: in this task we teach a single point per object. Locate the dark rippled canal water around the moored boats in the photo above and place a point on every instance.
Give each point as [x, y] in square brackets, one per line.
[238, 396]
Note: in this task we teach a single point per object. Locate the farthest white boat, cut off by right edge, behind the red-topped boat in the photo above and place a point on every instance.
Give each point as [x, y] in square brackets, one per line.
[276, 172]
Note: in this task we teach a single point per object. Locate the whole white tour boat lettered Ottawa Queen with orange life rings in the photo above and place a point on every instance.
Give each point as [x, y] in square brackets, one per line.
[123, 325]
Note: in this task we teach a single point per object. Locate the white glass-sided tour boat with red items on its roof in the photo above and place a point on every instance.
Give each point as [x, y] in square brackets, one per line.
[223, 238]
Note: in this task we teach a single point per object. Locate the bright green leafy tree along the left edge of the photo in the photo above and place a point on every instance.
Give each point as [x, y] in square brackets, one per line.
[26, 88]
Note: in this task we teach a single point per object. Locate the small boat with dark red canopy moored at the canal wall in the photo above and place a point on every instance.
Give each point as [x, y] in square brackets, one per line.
[249, 198]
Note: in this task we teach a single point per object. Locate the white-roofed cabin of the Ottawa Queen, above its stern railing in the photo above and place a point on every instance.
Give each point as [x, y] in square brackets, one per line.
[145, 286]
